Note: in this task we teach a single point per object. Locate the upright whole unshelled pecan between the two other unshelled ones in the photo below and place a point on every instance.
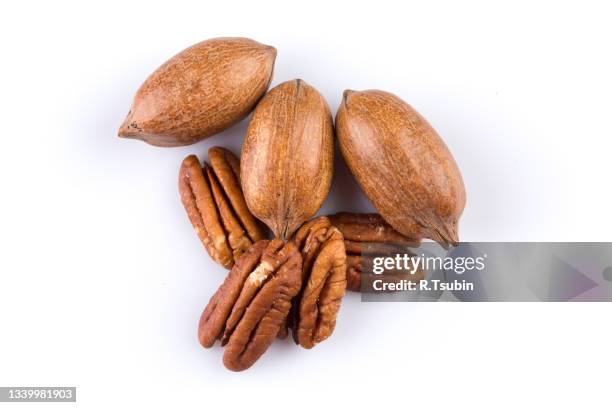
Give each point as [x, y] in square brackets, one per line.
[287, 155]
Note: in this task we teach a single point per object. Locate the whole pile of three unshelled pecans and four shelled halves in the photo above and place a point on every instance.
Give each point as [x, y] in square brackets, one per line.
[254, 214]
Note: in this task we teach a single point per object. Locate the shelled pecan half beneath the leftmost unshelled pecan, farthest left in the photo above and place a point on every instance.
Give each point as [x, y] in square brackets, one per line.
[215, 205]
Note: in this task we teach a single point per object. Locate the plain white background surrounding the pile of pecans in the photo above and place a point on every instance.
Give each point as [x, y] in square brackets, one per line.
[103, 280]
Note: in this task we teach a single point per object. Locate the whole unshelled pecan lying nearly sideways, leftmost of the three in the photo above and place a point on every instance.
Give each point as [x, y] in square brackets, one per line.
[200, 91]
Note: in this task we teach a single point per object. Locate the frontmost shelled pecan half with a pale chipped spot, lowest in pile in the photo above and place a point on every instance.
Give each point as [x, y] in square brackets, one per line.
[252, 304]
